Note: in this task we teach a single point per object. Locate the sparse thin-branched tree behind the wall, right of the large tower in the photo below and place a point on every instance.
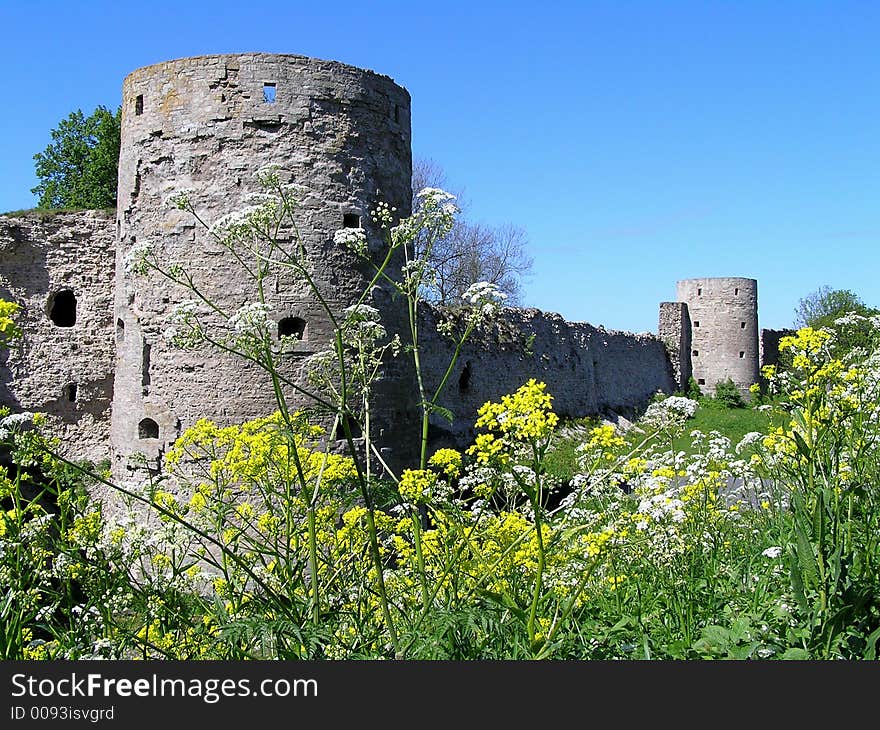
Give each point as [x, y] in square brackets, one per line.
[472, 252]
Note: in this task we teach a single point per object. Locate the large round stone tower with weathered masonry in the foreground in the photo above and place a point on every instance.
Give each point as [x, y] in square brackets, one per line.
[339, 134]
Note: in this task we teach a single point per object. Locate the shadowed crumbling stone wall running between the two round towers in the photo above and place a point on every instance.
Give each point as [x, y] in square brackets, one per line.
[589, 370]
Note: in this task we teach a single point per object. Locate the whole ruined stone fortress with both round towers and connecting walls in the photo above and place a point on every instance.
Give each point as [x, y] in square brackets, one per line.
[342, 135]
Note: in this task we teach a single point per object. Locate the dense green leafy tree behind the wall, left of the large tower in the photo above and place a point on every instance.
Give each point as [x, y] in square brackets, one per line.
[80, 168]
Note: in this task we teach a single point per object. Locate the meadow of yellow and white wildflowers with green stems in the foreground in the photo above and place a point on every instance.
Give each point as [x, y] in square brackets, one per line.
[259, 541]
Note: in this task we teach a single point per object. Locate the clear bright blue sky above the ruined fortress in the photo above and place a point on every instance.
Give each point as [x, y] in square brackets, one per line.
[636, 143]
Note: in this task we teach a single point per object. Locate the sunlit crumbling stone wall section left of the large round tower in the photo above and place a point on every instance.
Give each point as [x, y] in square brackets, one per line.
[60, 268]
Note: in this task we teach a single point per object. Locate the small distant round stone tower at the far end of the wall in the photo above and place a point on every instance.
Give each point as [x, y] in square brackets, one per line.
[723, 316]
